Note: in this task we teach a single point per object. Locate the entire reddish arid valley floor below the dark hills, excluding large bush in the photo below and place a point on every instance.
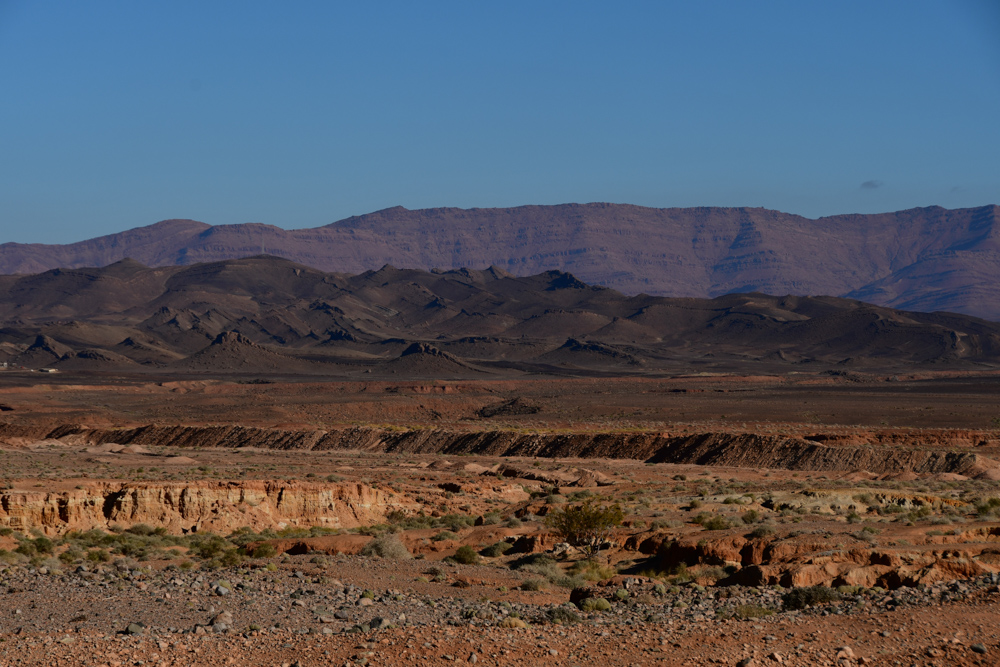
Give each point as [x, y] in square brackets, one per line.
[772, 518]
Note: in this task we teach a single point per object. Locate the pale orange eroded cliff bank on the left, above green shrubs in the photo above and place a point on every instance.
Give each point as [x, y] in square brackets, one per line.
[198, 506]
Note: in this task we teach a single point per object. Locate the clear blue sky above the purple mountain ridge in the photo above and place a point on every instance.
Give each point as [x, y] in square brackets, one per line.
[115, 115]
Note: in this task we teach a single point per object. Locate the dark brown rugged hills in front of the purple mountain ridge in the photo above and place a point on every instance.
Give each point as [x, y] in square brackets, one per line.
[269, 316]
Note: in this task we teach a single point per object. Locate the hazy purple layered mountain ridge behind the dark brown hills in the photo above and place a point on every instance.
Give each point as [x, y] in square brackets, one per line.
[925, 259]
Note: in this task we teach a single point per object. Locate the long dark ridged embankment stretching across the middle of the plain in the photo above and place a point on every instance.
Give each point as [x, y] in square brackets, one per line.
[713, 449]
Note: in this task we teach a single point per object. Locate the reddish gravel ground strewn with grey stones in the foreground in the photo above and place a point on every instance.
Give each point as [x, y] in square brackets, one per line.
[120, 615]
